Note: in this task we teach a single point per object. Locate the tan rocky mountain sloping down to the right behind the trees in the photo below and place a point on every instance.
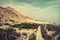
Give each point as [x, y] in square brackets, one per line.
[11, 16]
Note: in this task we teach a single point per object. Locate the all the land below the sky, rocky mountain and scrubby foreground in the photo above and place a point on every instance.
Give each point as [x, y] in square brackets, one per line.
[15, 26]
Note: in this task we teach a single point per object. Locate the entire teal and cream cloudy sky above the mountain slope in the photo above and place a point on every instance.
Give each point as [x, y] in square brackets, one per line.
[44, 10]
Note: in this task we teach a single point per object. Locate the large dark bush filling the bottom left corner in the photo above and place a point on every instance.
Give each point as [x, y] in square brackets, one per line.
[8, 34]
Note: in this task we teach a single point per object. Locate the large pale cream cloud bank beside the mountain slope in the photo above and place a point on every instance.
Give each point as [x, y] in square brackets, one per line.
[47, 14]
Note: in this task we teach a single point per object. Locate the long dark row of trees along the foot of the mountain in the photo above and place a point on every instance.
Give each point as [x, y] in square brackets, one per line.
[26, 26]
